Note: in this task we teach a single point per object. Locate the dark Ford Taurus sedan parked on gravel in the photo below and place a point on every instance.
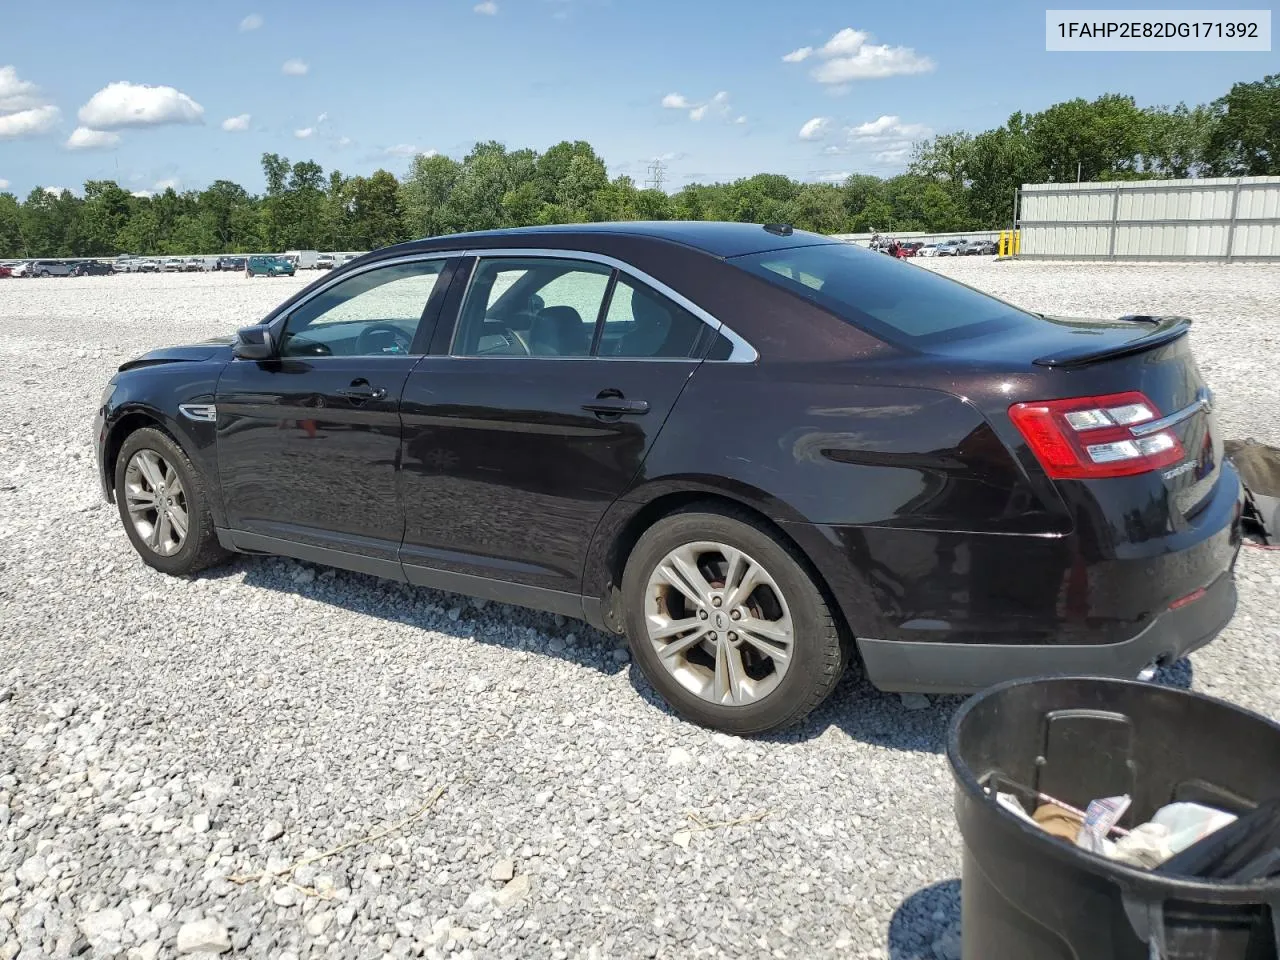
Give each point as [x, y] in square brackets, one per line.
[760, 454]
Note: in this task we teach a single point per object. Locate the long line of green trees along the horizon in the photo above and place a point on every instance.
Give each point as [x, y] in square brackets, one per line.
[954, 182]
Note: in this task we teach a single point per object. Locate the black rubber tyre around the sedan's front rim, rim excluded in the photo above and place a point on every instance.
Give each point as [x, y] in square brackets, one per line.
[202, 548]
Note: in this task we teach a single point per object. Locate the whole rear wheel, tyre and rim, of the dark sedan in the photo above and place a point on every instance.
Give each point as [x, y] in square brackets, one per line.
[728, 625]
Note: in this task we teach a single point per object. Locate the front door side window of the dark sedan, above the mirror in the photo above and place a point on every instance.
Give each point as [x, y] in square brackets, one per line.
[373, 314]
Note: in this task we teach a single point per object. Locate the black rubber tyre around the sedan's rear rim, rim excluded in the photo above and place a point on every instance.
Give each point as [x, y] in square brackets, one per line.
[819, 652]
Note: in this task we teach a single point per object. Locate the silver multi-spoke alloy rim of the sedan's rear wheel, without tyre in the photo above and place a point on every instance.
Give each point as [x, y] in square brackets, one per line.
[720, 624]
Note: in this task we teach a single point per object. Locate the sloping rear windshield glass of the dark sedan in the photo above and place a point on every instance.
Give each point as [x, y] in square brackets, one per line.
[897, 301]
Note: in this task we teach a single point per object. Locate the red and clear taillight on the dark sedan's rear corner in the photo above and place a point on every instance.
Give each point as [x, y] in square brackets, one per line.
[1087, 438]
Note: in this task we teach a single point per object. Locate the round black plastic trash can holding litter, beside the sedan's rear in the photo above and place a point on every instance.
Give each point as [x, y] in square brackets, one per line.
[1027, 895]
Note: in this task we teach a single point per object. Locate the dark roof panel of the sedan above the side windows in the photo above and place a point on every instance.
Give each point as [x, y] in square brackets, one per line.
[717, 239]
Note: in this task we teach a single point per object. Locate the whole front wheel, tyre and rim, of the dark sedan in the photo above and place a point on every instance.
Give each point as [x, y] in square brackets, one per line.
[163, 505]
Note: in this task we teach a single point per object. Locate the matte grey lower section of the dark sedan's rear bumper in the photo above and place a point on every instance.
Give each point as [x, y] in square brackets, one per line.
[962, 669]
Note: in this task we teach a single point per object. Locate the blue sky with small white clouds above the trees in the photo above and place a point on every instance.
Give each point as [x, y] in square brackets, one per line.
[145, 93]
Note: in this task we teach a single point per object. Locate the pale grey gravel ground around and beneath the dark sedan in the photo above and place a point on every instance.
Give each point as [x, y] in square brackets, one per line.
[159, 738]
